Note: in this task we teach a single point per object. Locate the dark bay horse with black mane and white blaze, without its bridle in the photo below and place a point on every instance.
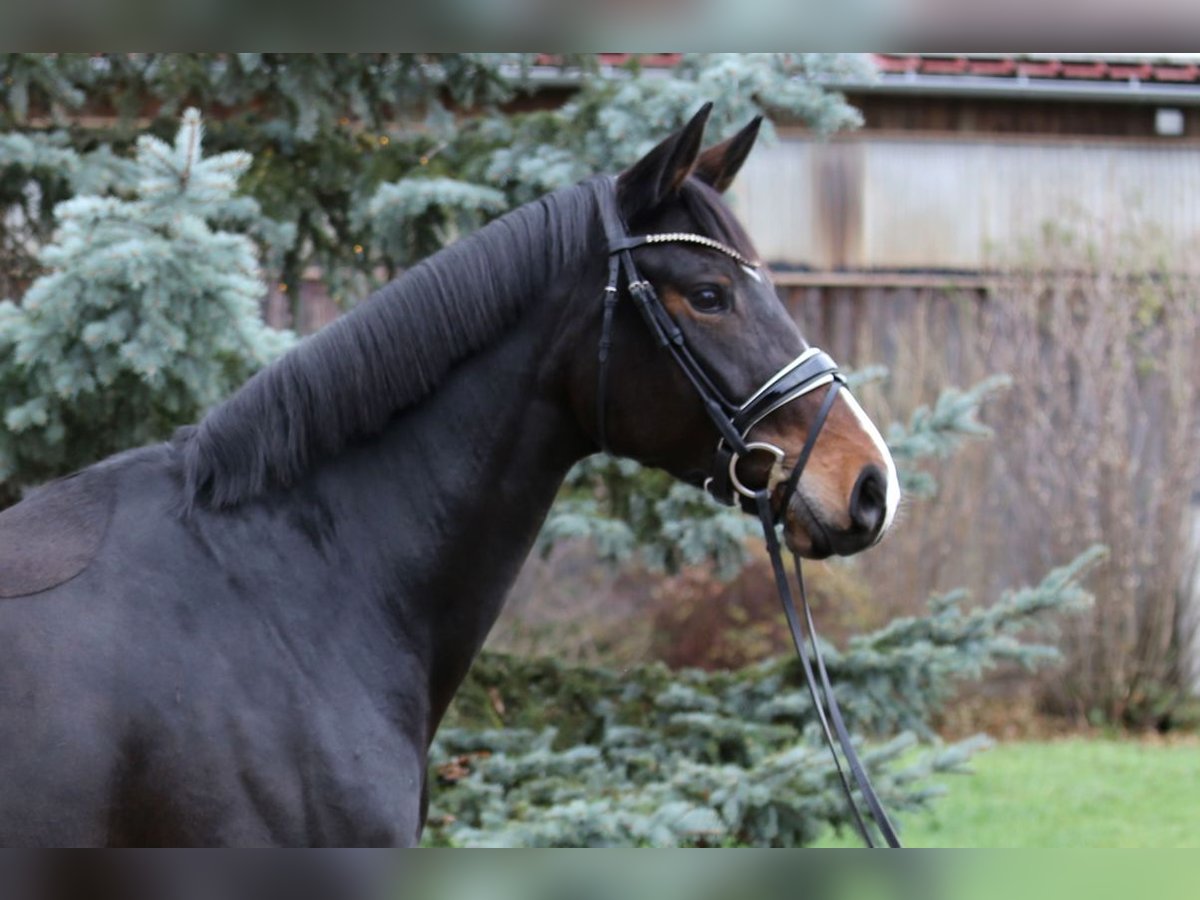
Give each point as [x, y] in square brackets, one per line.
[248, 635]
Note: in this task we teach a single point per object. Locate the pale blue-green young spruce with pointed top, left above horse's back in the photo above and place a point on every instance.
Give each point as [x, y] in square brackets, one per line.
[145, 314]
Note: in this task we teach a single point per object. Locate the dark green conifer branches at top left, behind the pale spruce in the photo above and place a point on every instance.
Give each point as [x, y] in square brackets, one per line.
[325, 131]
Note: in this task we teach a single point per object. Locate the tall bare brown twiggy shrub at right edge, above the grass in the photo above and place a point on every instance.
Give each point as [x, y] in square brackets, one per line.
[1099, 446]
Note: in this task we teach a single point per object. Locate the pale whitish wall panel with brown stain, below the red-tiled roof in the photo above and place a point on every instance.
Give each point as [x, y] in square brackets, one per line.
[879, 203]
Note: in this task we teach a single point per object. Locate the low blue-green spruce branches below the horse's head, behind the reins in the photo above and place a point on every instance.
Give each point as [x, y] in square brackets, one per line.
[541, 754]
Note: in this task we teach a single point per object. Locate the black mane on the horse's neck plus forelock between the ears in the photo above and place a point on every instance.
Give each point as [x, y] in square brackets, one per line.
[352, 377]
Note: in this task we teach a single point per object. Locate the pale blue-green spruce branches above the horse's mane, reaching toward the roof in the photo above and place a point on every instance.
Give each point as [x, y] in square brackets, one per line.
[607, 125]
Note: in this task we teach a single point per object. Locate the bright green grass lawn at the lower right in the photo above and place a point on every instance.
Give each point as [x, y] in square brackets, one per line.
[1066, 794]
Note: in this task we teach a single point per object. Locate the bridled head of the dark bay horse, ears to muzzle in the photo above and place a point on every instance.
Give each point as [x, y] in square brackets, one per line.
[729, 340]
